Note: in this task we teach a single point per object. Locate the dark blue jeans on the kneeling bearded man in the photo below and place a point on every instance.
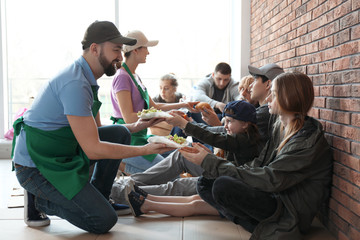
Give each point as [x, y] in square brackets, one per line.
[90, 209]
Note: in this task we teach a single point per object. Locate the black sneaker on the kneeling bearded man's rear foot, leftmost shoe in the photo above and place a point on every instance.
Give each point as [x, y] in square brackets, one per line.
[32, 217]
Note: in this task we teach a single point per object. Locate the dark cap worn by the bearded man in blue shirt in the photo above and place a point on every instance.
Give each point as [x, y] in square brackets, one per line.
[104, 31]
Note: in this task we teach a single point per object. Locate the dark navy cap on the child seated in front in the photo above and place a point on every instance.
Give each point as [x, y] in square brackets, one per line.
[242, 110]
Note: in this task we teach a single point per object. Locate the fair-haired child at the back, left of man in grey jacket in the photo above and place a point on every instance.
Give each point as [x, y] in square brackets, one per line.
[168, 94]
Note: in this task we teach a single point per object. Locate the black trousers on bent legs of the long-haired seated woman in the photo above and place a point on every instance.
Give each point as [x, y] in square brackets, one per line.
[237, 201]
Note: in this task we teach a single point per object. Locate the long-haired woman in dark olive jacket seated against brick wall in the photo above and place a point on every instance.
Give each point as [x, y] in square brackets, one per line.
[275, 196]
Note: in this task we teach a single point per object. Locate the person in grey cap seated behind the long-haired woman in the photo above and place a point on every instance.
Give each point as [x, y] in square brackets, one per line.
[260, 89]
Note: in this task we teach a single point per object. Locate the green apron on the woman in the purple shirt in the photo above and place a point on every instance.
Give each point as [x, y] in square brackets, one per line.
[138, 138]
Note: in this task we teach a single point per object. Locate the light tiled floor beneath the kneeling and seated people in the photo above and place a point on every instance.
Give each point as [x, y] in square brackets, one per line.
[151, 226]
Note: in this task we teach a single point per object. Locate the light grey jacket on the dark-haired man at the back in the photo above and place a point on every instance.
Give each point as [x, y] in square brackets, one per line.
[205, 90]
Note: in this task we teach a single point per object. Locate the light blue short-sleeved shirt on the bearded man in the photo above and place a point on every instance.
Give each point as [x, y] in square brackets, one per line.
[69, 93]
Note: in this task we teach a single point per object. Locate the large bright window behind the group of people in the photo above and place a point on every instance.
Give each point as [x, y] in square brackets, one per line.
[44, 36]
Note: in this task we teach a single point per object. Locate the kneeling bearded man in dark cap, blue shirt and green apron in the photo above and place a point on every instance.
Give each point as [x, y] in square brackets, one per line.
[59, 138]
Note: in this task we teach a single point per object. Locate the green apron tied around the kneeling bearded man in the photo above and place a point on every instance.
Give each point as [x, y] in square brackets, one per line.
[58, 155]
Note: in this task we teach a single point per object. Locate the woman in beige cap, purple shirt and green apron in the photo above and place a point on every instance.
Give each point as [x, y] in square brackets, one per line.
[129, 95]
